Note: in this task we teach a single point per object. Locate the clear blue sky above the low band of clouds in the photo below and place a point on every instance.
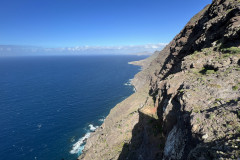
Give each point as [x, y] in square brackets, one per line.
[94, 23]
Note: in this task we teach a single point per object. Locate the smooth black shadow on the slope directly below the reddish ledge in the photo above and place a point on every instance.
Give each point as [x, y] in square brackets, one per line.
[147, 140]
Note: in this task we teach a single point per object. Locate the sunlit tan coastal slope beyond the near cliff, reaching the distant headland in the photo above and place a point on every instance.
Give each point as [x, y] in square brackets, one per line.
[133, 112]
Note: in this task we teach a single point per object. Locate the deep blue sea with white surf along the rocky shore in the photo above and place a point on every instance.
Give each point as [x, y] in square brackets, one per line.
[50, 105]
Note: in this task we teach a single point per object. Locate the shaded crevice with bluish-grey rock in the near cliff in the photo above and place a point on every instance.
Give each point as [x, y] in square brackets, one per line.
[179, 139]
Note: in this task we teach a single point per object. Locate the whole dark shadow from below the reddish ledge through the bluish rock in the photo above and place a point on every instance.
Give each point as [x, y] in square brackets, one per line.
[150, 135]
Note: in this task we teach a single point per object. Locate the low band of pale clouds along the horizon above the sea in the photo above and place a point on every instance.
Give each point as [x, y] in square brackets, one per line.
[11, 50]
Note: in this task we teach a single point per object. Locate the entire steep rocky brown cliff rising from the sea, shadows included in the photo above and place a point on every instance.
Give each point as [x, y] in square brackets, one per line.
[187, 104]
